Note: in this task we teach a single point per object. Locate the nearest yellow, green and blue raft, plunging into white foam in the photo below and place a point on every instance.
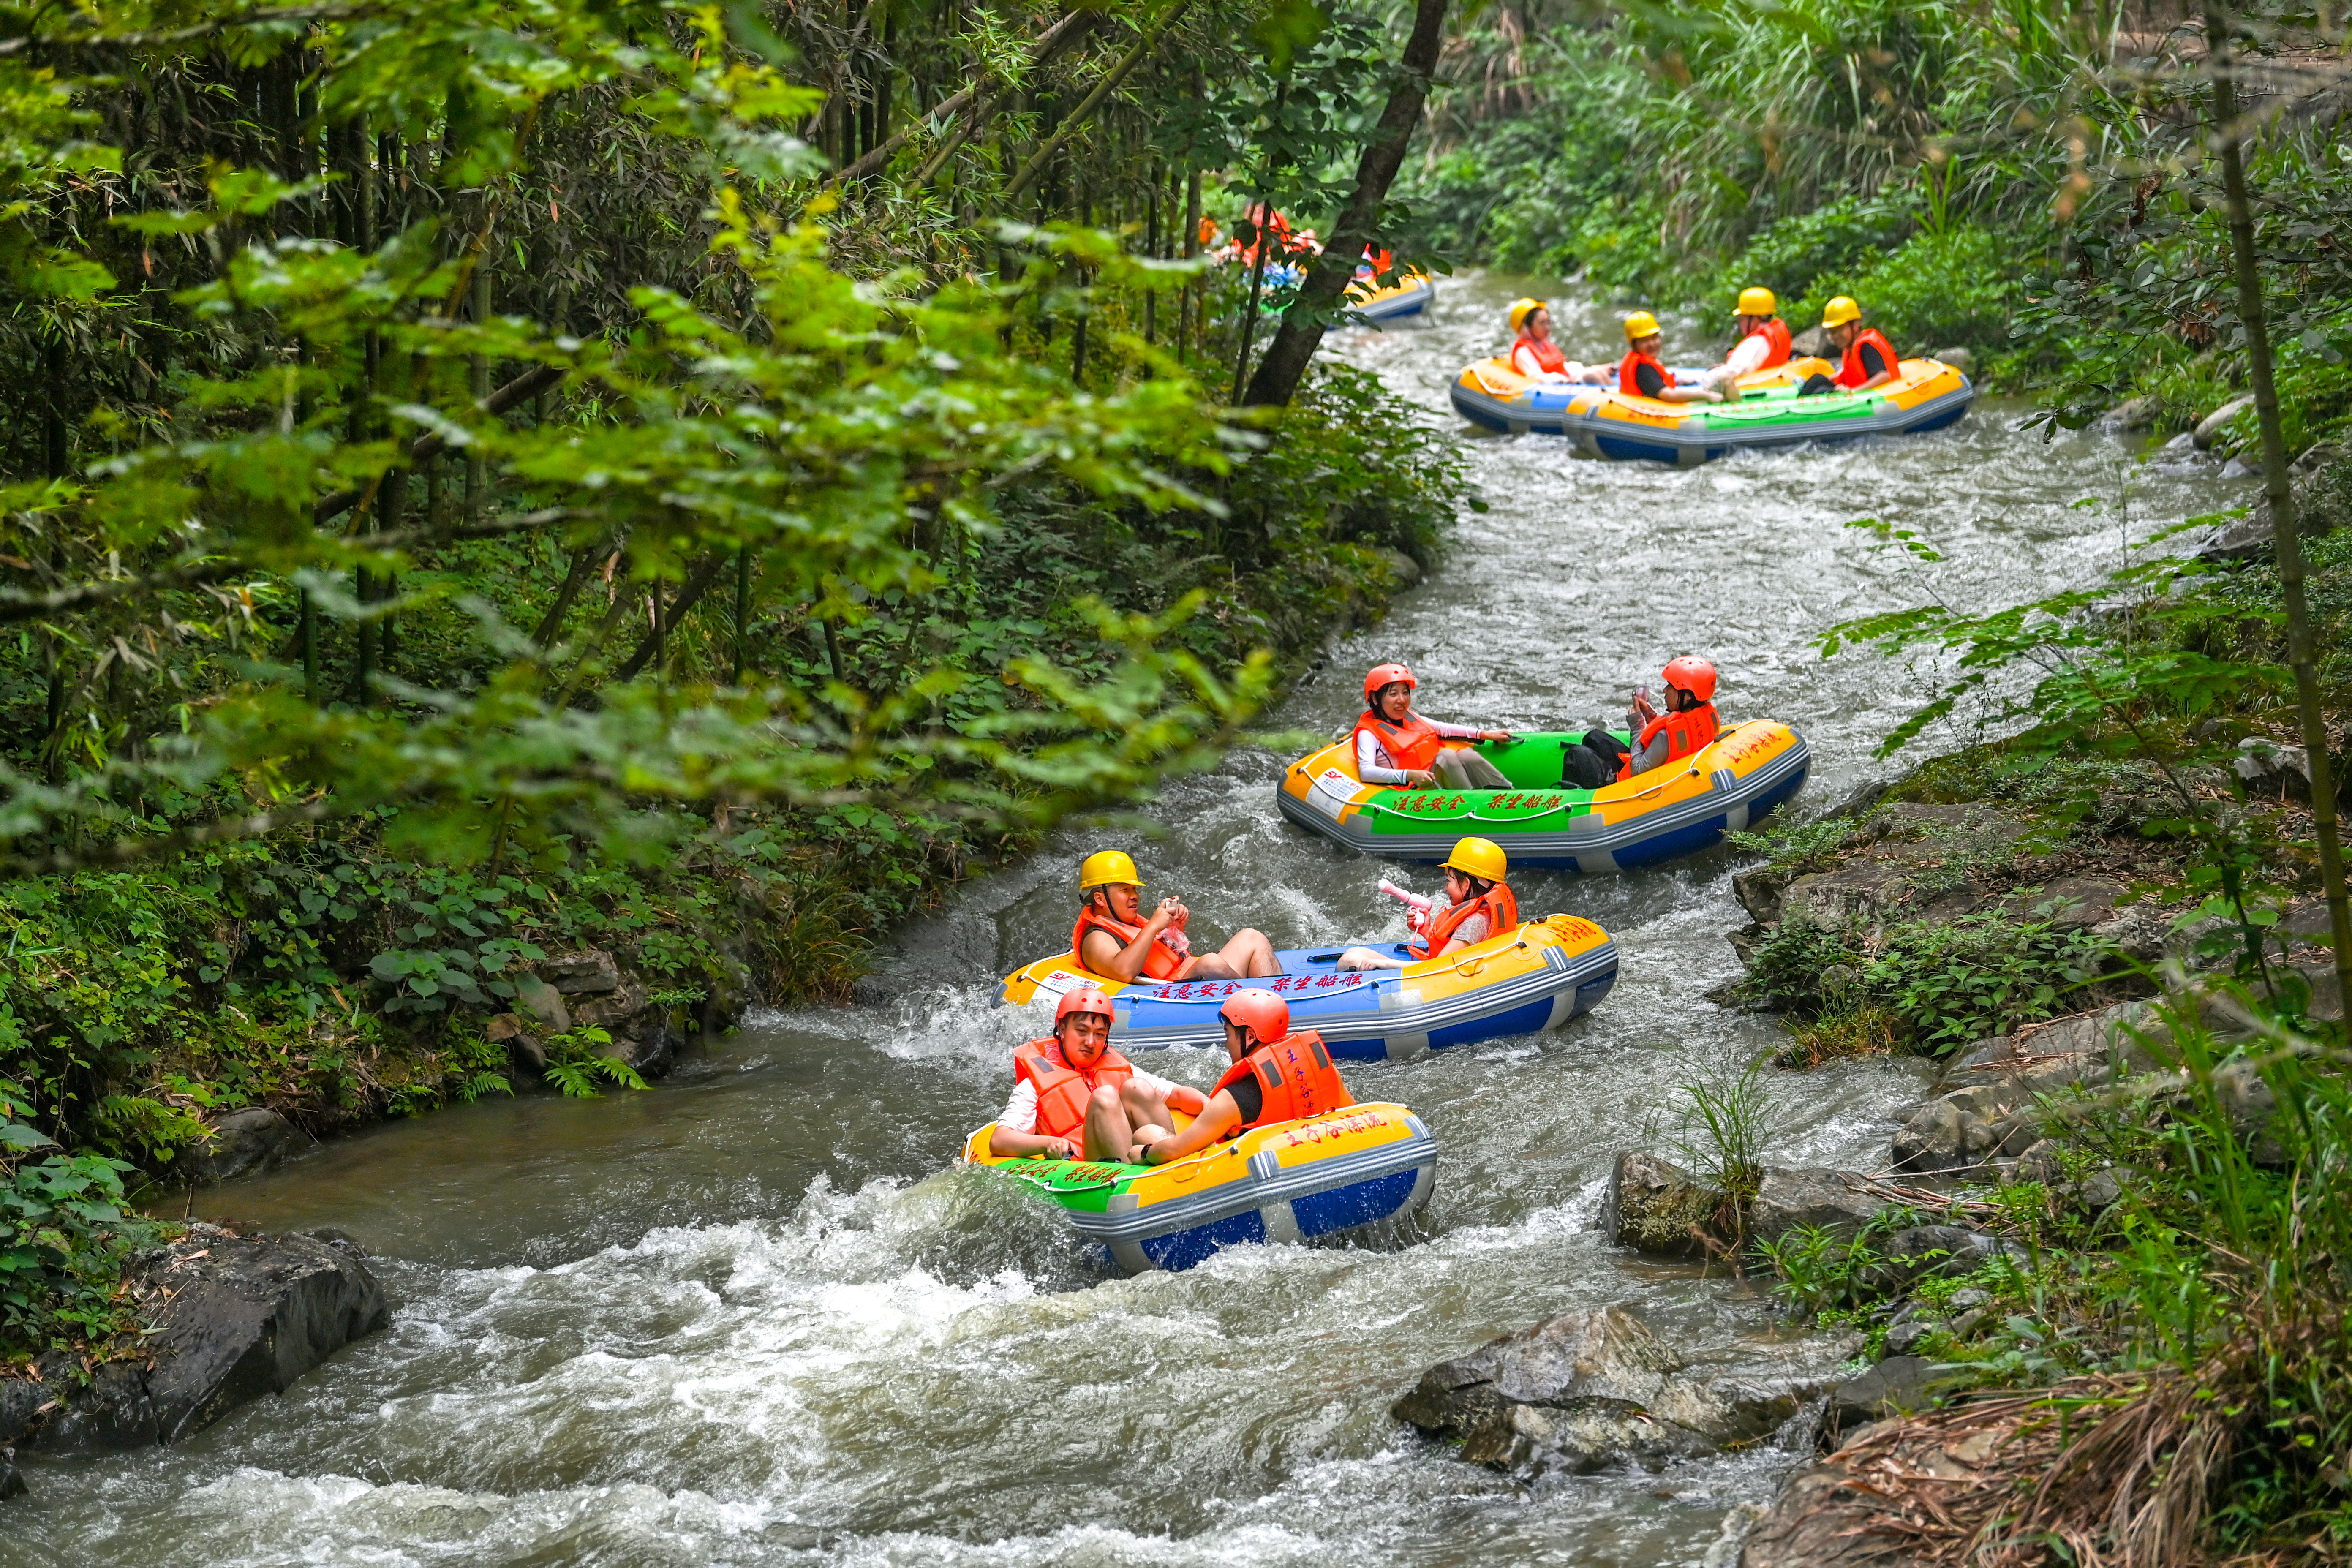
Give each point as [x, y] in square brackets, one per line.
[1349, 1174]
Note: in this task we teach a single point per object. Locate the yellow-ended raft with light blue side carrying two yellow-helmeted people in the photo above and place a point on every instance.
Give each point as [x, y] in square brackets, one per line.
[1532, 979]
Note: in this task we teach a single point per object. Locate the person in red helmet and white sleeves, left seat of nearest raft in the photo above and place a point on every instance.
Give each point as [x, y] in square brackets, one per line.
[1078, 1099]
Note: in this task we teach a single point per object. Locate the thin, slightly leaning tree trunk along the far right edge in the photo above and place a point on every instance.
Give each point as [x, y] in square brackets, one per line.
[2278, 488]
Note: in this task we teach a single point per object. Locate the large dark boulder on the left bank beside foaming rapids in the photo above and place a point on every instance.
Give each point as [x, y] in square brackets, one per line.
[239, 1318]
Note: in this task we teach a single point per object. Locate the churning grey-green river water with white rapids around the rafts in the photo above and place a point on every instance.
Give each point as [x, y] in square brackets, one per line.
[756, 1318]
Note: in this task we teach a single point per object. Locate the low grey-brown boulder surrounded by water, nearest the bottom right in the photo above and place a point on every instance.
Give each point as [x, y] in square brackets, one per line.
[1586, 1391]
